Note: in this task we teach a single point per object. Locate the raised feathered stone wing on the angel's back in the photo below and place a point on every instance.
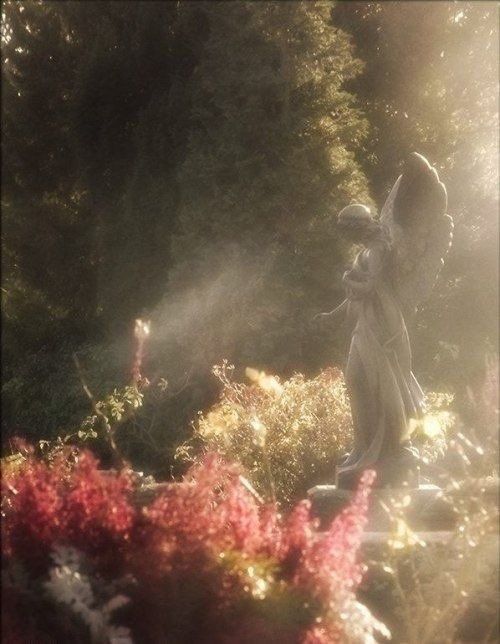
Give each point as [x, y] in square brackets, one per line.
[420, 230]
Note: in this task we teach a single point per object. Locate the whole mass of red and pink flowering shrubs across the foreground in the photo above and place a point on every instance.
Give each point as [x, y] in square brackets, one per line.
[204, 561]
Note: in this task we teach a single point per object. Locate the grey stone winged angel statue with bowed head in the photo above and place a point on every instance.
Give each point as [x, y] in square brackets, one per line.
[397, 268]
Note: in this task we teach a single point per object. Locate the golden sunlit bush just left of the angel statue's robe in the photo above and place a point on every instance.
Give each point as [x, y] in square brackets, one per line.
[288, 435]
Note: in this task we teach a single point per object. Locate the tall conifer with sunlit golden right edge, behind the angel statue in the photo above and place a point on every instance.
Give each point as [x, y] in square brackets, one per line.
[270, 162]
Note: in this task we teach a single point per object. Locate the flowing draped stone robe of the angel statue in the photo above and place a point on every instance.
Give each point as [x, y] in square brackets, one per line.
[384, 394]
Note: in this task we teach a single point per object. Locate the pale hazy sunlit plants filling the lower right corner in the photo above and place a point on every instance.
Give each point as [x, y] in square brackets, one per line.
[446, 589]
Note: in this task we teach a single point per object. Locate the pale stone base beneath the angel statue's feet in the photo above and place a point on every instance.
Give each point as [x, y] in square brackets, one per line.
[425, 509]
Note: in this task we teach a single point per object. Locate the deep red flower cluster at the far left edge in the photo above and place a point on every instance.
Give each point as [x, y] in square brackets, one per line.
[47, 504]
